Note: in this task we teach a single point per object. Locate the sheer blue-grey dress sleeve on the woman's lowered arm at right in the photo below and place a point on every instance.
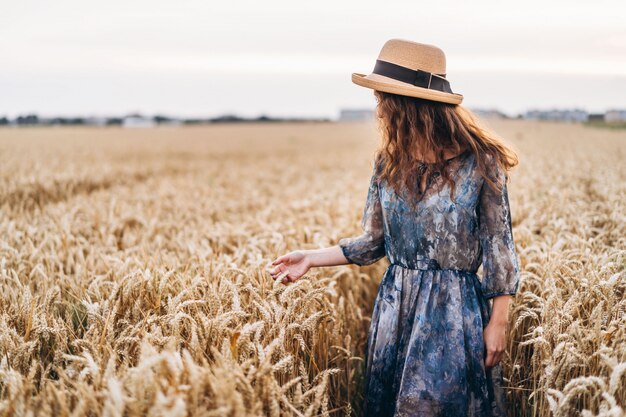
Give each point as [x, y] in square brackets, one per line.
[501, 274]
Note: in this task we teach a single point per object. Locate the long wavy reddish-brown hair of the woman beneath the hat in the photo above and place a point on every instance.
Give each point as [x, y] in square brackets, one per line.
[412, 127]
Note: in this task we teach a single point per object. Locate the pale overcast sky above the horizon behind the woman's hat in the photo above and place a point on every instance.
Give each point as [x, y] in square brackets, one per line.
[295, 58]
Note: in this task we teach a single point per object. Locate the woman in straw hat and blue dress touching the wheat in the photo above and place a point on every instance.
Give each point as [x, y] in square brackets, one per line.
[437, 207]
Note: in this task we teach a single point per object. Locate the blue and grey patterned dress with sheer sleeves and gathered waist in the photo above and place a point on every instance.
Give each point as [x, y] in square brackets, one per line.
[425, 349]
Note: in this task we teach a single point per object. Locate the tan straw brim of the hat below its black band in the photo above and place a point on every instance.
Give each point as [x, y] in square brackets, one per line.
[389, 85]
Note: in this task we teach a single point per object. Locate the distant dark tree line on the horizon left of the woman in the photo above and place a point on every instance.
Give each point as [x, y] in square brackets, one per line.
[35, 120]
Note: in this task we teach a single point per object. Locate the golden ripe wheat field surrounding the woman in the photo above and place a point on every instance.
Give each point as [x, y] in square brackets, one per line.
[133, 281]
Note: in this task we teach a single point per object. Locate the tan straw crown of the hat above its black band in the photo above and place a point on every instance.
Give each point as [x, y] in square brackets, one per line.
[414, 55]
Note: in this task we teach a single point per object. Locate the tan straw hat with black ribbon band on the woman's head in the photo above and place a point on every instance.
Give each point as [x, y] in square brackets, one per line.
[410, 69]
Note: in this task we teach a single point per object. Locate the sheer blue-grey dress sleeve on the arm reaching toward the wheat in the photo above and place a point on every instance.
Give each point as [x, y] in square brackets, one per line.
[369, 247]
